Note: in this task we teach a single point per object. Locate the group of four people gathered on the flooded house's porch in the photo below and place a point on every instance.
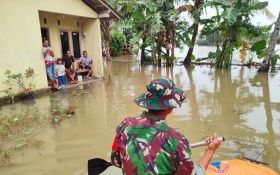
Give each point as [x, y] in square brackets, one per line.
[63, 70]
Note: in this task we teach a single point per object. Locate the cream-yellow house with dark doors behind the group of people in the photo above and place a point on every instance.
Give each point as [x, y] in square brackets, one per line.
[67, 24]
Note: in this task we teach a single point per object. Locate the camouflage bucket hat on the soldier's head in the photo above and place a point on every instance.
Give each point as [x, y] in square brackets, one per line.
[161, 94]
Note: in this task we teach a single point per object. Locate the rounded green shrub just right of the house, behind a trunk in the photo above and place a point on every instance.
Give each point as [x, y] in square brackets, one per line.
[117, 42]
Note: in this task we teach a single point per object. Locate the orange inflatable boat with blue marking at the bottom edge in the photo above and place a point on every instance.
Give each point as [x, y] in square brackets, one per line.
[238, 167]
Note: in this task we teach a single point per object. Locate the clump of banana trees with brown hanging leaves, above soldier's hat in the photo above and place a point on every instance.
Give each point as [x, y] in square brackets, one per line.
[155, 24]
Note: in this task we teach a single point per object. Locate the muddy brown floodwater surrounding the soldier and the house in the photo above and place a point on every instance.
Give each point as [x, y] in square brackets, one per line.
[238, 103]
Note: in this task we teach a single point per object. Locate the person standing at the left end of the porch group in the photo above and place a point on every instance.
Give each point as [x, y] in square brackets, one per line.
[49, 63]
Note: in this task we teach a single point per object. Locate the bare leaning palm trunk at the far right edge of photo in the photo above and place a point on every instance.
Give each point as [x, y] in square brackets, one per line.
[270, 50]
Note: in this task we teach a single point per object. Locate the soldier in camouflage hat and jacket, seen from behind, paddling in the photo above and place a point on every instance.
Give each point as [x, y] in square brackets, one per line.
[146, 145]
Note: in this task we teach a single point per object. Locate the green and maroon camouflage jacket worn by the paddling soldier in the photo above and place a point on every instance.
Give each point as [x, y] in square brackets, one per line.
[146, 145]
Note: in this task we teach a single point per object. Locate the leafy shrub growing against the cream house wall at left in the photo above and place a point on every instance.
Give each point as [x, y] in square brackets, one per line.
[23, 81]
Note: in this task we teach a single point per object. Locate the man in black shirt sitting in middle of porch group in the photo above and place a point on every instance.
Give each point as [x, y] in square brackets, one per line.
[68, 61]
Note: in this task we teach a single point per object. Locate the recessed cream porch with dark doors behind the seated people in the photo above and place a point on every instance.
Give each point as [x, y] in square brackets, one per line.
[74, 33]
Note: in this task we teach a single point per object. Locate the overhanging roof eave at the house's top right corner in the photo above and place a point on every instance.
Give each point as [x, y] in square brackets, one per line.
[102, 7]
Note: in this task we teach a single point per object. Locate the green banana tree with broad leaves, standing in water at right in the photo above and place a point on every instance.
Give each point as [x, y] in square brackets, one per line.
[234, 23]
